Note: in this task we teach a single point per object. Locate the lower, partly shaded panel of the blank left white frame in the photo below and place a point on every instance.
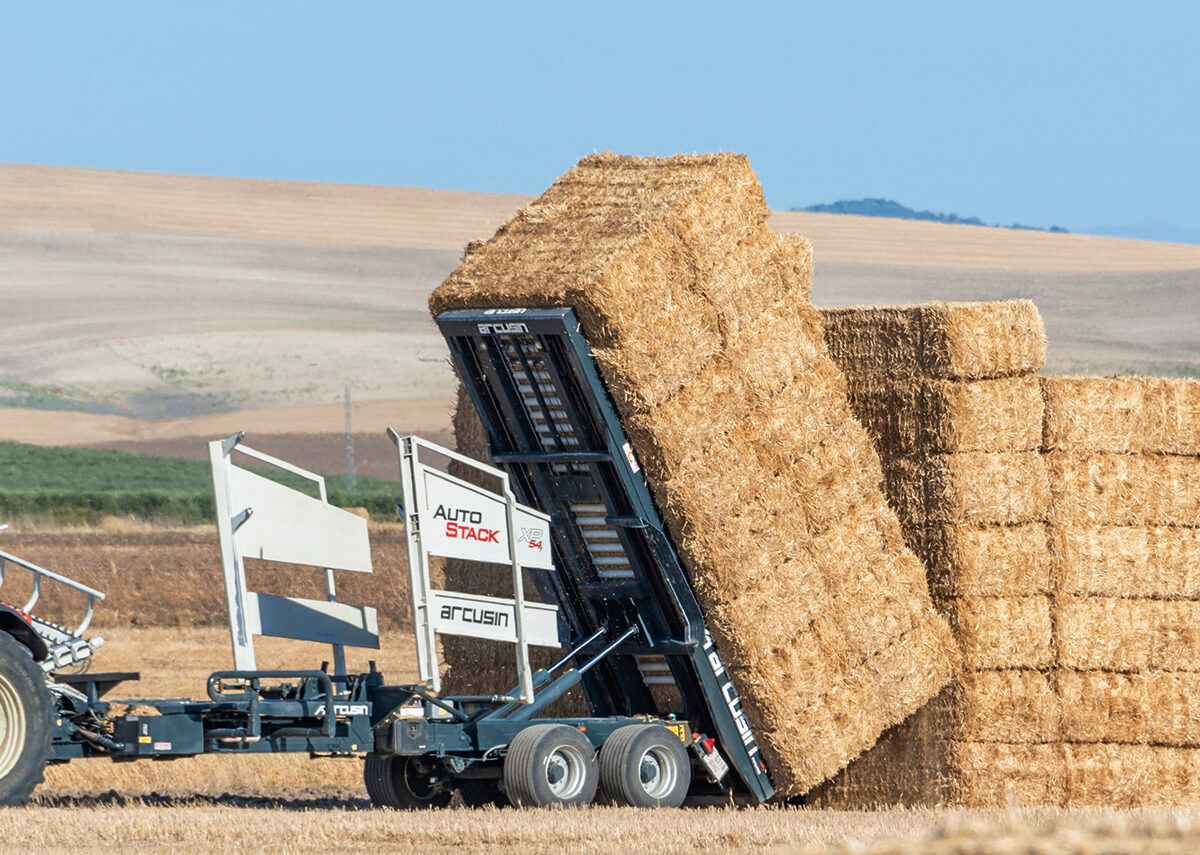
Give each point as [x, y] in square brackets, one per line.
[313, 620]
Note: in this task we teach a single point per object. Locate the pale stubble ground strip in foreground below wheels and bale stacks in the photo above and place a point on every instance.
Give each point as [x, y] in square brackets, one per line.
[111, 824]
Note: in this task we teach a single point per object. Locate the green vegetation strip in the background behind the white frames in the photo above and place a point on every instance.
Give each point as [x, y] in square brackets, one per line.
[83, 485]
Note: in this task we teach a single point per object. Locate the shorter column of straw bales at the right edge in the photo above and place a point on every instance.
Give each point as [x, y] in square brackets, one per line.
[1125, 464]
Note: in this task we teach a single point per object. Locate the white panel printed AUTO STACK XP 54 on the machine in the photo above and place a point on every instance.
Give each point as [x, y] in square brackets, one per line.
[464, 522]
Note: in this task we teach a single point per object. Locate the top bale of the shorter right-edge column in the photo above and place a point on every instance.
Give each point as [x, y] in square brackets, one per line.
[1123, 415]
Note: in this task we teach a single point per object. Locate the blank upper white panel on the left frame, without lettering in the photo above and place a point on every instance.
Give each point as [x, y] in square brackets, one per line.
[295, 529]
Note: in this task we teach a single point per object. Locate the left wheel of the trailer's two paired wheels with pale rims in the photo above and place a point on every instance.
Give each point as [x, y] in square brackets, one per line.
[551, 766]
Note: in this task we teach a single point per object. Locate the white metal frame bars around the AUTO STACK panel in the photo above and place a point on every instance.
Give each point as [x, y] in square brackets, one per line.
[415, 475]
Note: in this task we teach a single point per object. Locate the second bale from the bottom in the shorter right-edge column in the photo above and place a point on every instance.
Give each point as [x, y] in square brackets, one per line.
[1154, 708]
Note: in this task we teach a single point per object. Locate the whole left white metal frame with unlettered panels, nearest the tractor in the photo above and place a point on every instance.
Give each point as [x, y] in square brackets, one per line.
[309, 528]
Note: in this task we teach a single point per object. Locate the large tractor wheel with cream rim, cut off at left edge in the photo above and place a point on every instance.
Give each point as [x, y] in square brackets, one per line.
[26, 722]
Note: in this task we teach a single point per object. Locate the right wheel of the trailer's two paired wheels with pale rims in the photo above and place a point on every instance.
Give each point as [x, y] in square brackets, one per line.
[645, 766]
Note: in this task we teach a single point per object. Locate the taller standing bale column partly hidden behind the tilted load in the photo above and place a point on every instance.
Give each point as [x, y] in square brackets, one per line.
[951, 397]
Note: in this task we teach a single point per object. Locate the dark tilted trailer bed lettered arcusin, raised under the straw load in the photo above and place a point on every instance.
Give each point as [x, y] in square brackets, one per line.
[553, 426]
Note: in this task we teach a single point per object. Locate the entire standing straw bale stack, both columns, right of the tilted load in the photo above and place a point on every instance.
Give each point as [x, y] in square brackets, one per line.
[1069, 564]
